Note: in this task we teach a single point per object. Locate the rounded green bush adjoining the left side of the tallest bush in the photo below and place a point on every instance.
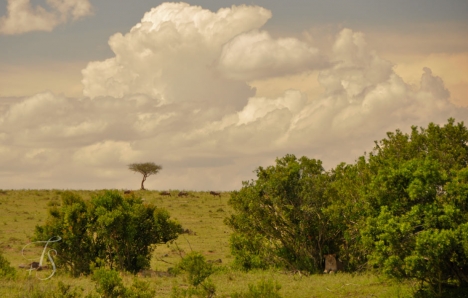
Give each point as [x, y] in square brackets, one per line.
[281, 218]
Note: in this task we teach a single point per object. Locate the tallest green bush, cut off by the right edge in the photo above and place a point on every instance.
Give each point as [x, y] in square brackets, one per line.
[419, 193]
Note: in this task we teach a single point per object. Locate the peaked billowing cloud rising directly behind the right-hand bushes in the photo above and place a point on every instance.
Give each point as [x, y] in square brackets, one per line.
[363, 99]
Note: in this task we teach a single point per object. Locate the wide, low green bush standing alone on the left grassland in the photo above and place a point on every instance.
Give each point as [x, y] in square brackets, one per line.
[107, 230]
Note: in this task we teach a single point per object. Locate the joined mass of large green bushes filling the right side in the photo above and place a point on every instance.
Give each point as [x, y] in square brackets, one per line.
[403, 210]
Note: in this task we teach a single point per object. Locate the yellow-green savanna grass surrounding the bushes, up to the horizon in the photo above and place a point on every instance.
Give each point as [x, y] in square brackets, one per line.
[201, 215]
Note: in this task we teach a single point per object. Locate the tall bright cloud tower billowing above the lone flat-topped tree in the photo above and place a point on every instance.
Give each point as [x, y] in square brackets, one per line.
[169, 55]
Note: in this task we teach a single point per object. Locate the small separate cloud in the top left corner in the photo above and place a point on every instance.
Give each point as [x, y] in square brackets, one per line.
[23, 17]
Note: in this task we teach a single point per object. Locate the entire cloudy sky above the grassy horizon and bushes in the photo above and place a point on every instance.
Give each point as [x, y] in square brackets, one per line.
[213, 89]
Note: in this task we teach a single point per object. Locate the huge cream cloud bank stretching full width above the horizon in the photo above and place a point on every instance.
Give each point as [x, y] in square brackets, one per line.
[177, 93]
